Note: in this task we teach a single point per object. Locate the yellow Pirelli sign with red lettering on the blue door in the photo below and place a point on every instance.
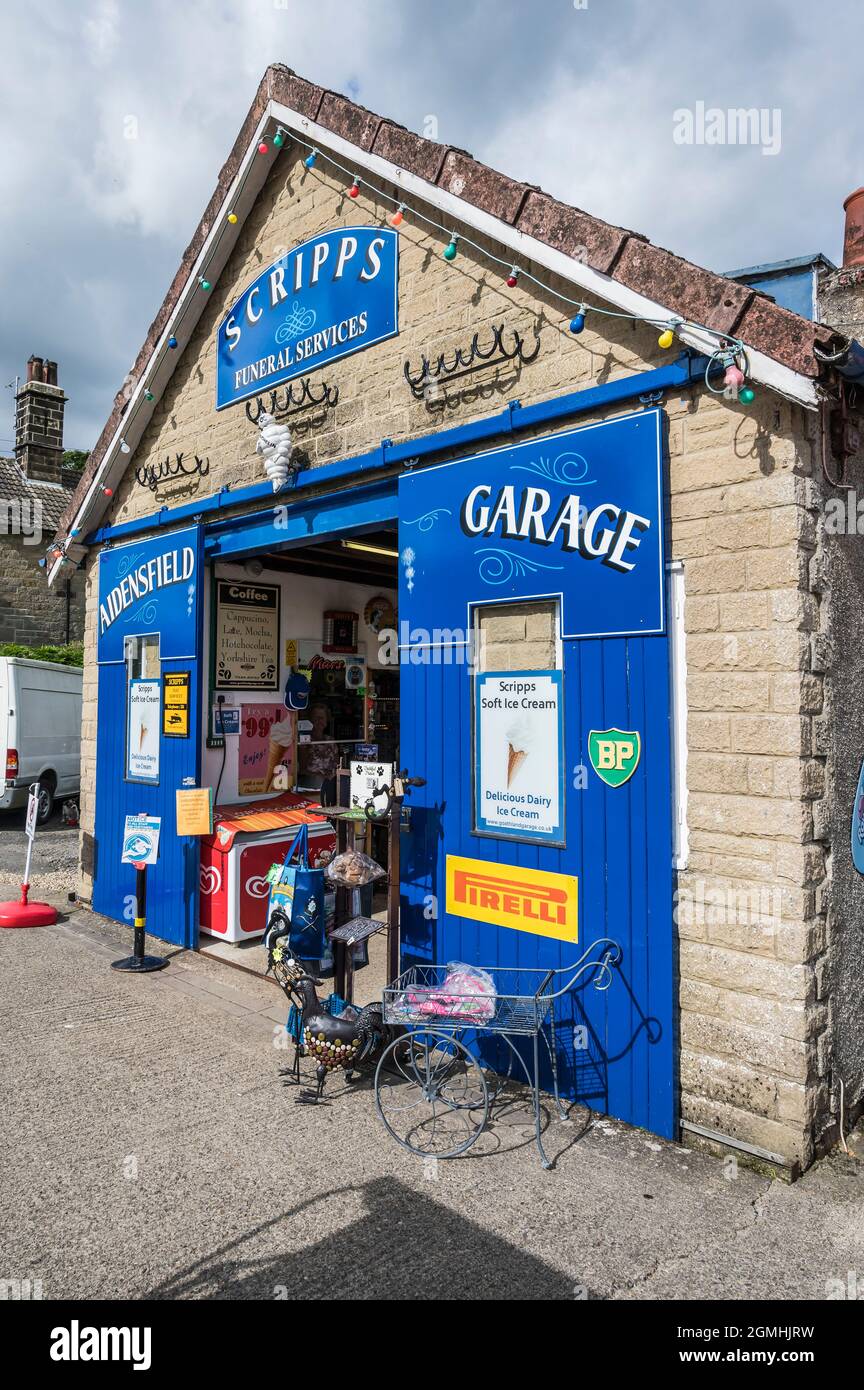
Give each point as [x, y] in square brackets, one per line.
[527, 900]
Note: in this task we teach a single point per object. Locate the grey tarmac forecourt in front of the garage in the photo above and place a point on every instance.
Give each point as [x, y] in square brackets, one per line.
[153, 1152]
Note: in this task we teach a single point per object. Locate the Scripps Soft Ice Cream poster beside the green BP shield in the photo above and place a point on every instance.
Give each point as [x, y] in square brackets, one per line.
[519, 758]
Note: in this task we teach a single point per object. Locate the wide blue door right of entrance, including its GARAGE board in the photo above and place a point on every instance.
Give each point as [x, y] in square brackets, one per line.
[501, 529]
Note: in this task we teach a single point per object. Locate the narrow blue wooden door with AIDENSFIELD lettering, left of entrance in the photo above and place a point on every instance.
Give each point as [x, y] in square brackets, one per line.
[173, 883]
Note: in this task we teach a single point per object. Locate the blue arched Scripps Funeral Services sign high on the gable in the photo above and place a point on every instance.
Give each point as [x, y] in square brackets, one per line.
[329, 298]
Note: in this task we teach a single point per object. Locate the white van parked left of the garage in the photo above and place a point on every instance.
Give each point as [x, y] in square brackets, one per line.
[40, 730]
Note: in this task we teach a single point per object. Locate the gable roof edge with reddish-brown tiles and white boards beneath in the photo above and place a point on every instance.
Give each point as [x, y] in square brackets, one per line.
[609, 262]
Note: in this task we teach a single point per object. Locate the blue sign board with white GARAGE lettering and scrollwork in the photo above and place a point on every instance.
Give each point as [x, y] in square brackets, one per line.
[577, 515]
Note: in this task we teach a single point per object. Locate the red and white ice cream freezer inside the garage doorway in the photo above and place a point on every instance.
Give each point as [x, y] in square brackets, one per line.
[235, 861]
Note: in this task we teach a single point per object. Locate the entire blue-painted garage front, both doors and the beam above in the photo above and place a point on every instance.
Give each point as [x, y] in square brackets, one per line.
[573, 519]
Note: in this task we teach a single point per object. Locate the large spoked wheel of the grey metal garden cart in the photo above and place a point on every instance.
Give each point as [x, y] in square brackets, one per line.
[431, 1095]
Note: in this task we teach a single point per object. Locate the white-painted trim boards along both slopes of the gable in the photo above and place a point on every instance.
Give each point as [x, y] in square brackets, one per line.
[763, 369]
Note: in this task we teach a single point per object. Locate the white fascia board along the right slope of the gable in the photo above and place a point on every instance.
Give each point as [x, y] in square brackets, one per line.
[763, 369]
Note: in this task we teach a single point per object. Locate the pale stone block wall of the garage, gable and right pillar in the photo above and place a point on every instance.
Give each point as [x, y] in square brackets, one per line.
[754, 1011]
